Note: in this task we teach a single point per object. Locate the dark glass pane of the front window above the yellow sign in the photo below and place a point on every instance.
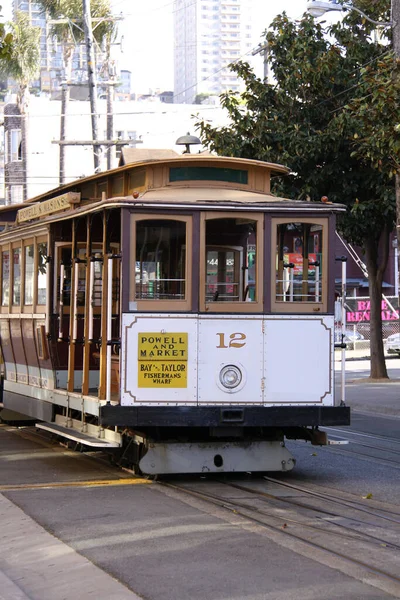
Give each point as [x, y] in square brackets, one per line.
[160, 267]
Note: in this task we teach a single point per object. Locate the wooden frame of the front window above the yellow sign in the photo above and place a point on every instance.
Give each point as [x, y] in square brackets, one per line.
[137, 305]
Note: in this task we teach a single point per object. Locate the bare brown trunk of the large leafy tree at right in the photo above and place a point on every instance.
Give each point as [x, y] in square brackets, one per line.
[375, 277]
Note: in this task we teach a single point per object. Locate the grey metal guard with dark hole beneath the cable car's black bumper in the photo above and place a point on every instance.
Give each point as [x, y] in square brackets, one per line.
[216, 457]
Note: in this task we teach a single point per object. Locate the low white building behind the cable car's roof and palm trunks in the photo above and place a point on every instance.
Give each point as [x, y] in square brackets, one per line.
[146, 124]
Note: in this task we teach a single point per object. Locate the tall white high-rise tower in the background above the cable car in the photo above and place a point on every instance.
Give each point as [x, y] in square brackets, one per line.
[209, 35]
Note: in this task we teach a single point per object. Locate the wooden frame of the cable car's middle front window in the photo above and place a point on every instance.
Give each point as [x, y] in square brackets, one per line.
[241, 306]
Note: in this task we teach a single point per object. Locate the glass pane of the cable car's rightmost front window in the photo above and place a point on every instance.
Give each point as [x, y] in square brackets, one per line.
[299, 262]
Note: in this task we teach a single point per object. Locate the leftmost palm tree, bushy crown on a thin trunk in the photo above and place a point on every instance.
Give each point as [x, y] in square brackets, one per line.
[22, 63]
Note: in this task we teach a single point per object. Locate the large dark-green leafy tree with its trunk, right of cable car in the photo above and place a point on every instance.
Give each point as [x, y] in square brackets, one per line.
[311, 119]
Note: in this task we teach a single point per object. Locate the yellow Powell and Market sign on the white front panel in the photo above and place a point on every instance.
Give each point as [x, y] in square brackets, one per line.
[162, 360]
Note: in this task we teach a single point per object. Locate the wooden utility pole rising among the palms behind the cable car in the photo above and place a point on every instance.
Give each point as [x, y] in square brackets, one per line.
[91, 67]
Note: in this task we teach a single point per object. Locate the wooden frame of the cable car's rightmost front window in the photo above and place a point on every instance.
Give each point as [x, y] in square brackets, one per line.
[278, 306]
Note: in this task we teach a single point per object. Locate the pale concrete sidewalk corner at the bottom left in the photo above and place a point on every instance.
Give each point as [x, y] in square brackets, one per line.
[35, 565]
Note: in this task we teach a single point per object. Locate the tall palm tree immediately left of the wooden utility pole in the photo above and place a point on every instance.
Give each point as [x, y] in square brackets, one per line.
[70, 32]
